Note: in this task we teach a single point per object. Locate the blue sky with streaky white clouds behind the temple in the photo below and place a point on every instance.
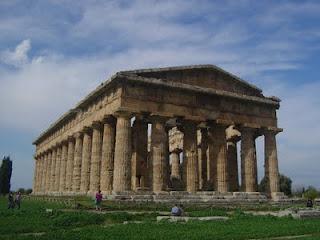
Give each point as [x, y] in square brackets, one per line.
[53, 53]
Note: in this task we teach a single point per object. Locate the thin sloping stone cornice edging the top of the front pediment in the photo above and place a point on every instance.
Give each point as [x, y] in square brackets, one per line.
[190, 67]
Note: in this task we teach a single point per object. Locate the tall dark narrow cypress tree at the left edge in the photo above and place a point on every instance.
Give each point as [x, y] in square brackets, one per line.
[5, 175]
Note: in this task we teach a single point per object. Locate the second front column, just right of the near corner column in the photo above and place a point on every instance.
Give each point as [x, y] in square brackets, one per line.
[159, 152]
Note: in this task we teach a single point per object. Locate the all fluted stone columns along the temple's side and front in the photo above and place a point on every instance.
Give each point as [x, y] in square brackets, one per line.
[112, 155]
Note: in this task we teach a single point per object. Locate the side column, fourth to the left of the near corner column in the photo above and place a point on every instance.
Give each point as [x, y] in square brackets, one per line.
[76, 175]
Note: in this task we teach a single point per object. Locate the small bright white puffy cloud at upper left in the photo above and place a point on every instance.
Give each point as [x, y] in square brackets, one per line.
[19, 56]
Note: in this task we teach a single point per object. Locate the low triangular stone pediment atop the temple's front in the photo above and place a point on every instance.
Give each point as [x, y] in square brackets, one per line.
[205, 76]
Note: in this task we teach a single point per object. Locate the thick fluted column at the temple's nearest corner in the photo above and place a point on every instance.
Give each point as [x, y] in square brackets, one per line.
[122, 157]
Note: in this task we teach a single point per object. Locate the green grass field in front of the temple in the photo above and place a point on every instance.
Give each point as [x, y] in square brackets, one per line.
[33, 222]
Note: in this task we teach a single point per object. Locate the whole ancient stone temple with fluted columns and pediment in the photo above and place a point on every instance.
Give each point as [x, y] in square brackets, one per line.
[162, 131]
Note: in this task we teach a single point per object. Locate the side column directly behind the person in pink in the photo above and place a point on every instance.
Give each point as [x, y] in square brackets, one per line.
[96, 157]
